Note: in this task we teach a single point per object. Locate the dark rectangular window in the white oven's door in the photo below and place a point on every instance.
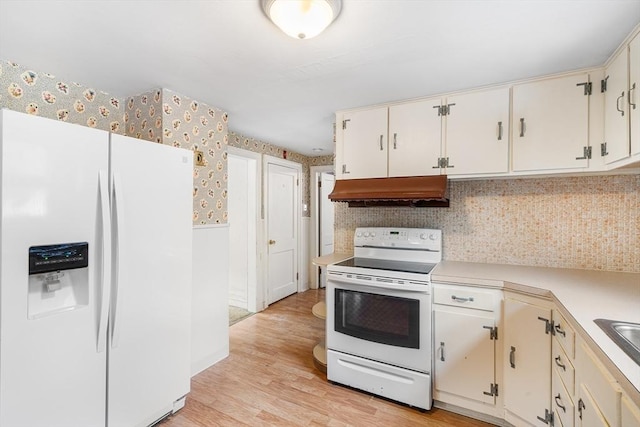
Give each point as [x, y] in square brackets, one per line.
[378, 318]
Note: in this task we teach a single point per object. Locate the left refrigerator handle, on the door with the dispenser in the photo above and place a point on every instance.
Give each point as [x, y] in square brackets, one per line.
[103, 282]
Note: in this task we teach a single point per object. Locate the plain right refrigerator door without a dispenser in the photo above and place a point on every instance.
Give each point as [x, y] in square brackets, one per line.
[149, 359]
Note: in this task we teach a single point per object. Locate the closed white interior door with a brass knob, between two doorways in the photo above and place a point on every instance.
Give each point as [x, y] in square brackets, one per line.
[282, 215]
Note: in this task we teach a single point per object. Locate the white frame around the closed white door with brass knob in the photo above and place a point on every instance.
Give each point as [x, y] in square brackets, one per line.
[266, 160]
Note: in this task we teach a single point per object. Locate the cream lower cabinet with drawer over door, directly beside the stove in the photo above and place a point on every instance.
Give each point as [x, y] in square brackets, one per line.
[466, 332]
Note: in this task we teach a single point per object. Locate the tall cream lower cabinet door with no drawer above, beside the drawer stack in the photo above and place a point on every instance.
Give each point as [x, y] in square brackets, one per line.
[527, 371]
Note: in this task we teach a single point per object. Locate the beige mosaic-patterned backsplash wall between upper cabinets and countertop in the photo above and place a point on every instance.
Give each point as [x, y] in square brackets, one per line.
[568, 222]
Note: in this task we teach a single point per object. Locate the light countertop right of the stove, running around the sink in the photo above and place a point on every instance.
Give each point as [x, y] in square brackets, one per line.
[581, 296]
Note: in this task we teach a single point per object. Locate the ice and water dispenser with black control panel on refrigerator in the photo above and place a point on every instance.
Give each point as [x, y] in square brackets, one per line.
[58, 278]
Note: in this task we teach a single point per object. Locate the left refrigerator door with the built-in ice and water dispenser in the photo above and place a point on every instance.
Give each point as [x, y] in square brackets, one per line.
[51, 372]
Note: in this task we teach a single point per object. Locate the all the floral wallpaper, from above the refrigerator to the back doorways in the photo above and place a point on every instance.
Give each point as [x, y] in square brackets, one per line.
[161, 116]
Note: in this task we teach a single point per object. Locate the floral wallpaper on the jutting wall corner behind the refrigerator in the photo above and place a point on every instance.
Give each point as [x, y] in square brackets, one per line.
[166, 117]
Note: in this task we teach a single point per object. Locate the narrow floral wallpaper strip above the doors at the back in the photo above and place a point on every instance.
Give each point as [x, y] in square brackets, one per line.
[257, 146]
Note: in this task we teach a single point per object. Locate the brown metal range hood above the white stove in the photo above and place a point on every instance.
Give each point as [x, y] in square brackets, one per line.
[416, 191]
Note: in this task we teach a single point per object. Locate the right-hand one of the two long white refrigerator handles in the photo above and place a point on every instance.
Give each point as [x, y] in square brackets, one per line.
[118, 256]
